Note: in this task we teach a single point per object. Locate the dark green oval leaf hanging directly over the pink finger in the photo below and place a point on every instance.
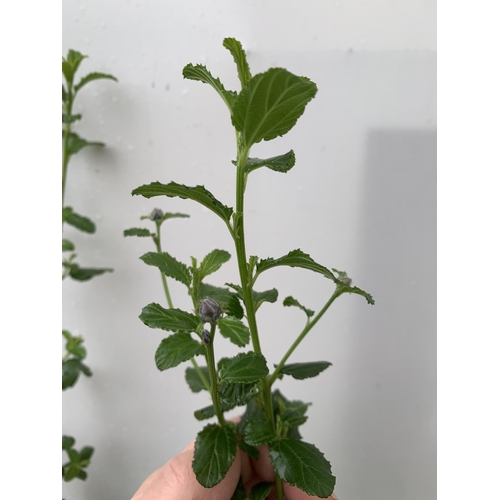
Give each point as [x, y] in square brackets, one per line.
[214, 452]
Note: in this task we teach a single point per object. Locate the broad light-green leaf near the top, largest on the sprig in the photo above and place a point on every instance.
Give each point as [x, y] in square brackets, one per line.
[270, 105]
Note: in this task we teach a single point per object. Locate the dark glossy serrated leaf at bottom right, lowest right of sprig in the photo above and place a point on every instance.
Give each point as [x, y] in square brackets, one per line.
[302, 465]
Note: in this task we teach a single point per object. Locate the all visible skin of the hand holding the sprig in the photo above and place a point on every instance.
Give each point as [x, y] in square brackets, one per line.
[176, 479]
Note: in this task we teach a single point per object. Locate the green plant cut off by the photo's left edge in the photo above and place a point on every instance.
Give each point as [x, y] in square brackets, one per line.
[72, 143]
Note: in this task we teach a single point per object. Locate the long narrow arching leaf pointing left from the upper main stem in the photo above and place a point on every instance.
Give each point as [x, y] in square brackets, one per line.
[198, 193]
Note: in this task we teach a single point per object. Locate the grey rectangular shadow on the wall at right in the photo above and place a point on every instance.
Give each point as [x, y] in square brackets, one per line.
[393, 351]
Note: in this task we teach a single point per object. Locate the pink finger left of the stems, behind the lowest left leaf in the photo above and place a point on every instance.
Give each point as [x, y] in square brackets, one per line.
[176, 480]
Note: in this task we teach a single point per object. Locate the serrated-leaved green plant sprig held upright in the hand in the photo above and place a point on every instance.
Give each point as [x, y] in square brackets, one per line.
[267, 106]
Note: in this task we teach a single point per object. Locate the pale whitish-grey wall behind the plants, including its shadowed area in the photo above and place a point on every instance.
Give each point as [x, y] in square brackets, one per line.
[360, 198]
